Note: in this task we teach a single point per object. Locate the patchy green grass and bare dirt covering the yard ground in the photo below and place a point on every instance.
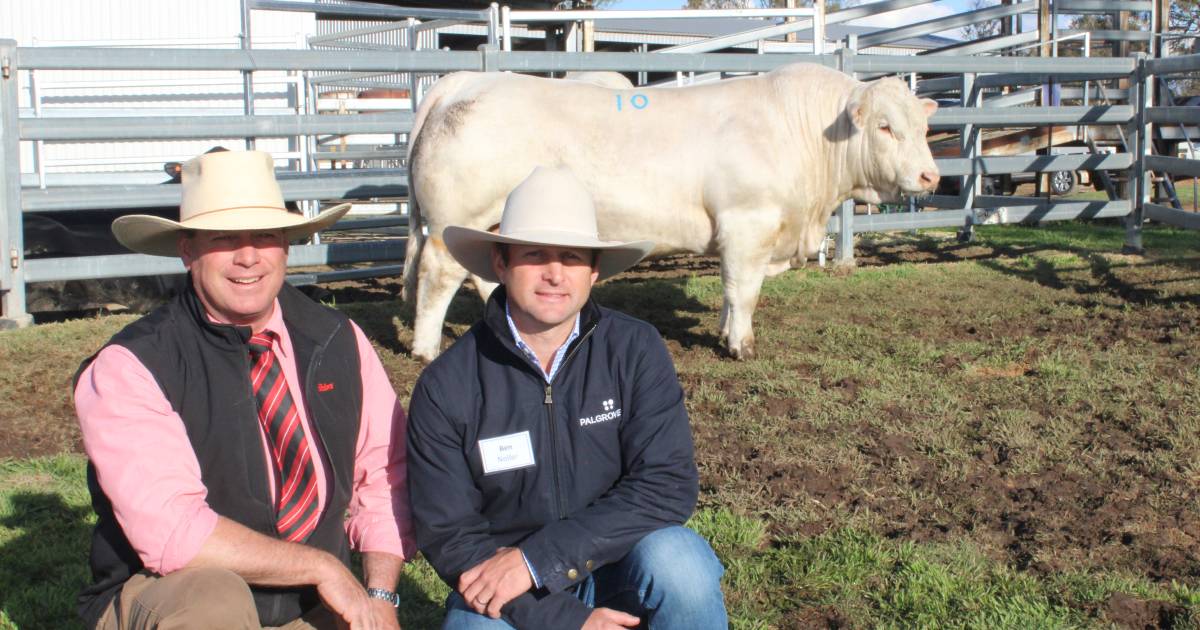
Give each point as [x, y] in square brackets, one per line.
[1004, 439]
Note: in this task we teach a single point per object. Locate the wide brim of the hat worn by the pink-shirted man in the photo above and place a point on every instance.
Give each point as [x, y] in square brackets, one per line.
[158, 237]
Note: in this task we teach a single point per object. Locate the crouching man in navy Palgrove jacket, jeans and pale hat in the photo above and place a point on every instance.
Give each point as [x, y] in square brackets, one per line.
[550, 458]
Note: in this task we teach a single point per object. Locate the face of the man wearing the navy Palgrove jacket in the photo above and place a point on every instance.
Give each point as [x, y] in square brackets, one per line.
[547, 286]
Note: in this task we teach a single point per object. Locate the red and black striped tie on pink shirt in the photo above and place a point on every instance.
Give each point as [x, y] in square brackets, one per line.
[297, 496]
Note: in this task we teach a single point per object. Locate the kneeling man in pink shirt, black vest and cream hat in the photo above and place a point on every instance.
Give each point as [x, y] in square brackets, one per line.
[232, 431]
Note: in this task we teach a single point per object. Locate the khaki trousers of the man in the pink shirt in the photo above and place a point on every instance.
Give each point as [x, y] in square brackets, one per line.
[195, 599]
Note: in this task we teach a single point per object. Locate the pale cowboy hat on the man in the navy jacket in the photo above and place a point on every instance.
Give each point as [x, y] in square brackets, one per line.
[551, 207]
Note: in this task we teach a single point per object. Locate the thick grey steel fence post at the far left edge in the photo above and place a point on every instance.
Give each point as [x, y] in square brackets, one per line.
[13, 242]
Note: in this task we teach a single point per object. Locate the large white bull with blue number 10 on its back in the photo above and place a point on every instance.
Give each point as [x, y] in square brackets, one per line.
[748, 169]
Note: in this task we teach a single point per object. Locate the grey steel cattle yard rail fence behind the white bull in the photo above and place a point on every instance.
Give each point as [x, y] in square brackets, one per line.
[1136, 118]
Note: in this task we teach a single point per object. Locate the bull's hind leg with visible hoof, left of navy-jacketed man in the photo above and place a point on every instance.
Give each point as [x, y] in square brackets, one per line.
[441, 277]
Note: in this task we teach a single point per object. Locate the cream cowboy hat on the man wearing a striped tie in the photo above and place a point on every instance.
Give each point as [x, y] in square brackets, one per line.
[224, 191]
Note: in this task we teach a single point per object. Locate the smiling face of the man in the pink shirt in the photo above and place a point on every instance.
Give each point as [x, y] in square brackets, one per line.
[237, 275]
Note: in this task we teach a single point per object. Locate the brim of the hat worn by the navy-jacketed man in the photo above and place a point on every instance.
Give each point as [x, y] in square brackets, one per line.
[472, 249]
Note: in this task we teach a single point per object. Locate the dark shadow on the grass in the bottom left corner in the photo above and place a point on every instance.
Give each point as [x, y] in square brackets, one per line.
[43, 571]
